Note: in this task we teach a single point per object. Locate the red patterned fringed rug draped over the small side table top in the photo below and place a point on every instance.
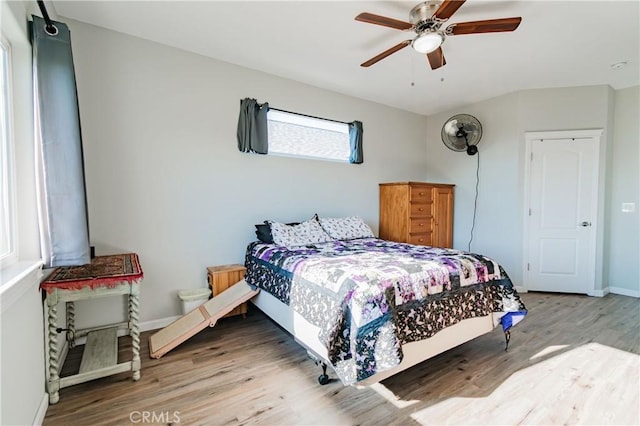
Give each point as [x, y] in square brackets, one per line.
[103, 271]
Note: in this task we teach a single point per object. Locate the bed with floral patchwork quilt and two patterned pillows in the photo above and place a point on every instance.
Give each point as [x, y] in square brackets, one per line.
[369, 308]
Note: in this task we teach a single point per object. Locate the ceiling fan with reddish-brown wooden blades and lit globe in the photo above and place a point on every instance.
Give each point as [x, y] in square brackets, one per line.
[426, 20]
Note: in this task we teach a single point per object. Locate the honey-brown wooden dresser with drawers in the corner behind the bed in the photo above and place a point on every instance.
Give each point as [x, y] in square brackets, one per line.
[417, 213]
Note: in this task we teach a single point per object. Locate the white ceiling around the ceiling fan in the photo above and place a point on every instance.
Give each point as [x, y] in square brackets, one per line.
[558, 44]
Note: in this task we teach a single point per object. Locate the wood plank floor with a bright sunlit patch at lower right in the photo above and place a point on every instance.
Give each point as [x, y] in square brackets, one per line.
[573, 360]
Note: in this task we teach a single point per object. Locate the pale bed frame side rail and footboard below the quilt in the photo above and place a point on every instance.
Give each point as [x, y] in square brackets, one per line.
[306, 334]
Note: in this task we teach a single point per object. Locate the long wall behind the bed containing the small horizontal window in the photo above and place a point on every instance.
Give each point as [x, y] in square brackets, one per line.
[165, 178]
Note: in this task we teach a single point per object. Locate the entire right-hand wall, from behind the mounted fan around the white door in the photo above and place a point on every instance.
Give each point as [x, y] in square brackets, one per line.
[499, 224]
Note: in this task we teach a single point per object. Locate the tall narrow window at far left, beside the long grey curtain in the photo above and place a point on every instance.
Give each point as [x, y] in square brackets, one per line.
[7, 200]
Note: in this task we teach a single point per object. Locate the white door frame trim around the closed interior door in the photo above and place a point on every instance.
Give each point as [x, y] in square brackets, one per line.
[594, 287]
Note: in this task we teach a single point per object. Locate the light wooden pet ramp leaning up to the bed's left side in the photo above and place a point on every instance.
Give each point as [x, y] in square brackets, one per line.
[197, 320]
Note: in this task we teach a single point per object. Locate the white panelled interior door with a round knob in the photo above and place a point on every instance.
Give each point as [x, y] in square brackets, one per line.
[563, 194]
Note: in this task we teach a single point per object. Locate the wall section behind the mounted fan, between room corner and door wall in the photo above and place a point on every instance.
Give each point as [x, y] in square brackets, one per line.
[498, 227]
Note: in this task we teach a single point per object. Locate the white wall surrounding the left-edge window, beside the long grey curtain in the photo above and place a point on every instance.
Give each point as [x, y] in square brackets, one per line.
[22, 376]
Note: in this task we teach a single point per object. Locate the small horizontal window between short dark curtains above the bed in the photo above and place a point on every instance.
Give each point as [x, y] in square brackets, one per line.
[309, 137]
